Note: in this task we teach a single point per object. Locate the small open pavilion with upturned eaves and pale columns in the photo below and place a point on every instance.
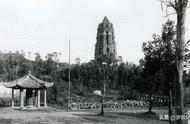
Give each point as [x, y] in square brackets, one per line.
[33, 86]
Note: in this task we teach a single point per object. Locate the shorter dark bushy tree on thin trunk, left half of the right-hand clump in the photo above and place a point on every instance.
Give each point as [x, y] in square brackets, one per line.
[151, 68]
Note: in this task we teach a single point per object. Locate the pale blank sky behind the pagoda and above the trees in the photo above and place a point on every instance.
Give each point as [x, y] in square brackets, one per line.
[45, 26]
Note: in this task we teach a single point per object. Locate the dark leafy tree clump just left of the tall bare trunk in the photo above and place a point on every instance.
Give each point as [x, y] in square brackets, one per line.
[160, 62]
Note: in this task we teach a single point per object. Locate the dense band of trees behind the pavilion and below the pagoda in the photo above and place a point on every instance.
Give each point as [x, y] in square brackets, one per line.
[85, 77]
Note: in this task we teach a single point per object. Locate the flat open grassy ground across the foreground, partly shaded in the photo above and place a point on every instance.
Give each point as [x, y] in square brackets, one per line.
[59, 116]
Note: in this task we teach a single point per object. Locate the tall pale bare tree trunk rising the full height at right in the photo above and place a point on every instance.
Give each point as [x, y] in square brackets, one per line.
[181, 12]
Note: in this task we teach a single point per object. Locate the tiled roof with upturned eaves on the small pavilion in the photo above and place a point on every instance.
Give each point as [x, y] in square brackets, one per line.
[28, 82]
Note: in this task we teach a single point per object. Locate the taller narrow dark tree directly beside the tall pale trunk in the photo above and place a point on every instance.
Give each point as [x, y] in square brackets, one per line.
[169, 61]
